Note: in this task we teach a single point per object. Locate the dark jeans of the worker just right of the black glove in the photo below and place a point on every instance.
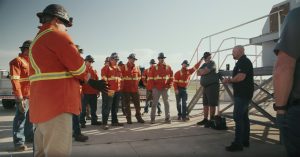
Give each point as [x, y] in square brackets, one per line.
[110, 104]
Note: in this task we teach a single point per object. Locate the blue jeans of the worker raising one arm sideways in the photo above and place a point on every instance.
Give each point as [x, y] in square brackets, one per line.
[181, 99]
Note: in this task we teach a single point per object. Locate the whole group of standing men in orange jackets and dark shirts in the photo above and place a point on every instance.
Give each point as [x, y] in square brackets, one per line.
[53, 72]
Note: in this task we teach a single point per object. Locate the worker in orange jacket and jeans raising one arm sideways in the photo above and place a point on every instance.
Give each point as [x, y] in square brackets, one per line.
[181, 80]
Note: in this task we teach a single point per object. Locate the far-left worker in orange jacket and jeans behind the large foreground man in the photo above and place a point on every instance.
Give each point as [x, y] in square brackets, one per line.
[19, 71]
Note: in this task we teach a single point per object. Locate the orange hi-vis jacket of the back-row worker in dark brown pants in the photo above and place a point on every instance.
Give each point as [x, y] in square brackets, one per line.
[131, 76]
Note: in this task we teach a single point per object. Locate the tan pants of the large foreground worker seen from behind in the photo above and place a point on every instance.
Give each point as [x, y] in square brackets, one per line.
[54, 137]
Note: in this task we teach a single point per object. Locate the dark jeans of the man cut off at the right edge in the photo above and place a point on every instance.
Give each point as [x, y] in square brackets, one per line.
[290, 130]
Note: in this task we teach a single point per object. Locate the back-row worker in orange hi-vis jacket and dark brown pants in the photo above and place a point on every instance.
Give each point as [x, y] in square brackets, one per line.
[131, 76]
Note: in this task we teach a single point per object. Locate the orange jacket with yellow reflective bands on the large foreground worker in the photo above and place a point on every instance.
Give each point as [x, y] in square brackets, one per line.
[55, 70]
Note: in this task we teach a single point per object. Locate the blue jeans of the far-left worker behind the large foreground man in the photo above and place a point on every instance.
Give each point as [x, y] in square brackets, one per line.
[22, 127]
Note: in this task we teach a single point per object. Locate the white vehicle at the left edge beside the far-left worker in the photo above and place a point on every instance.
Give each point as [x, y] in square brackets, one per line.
[6, 92]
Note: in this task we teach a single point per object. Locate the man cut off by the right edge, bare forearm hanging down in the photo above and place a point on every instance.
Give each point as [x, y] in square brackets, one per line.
[287, 83]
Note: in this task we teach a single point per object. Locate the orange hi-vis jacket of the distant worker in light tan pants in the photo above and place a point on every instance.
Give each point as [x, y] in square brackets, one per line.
[161, 76]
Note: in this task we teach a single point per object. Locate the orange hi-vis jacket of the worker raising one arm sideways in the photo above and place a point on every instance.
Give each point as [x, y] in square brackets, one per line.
[182, 77]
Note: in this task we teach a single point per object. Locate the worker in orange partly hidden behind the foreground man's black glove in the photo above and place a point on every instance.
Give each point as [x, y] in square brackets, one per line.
[89, 94]
